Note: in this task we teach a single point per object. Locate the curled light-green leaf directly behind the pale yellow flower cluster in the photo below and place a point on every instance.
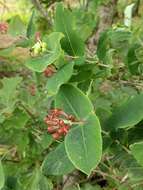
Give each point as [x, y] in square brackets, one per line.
[39, 64]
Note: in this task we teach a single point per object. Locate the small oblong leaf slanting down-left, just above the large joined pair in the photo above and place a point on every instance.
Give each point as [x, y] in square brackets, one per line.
[59, 78]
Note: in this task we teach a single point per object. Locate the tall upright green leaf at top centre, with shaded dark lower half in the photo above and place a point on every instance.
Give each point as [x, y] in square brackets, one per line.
[64, 21]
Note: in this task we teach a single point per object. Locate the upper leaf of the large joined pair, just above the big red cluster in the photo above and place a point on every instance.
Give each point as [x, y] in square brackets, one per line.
[73, 101]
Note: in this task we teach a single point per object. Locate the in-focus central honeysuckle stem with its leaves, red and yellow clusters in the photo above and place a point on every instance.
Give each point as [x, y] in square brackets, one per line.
[72, 120]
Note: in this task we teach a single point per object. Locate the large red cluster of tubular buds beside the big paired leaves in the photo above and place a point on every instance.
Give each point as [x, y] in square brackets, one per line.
[57, 126]
